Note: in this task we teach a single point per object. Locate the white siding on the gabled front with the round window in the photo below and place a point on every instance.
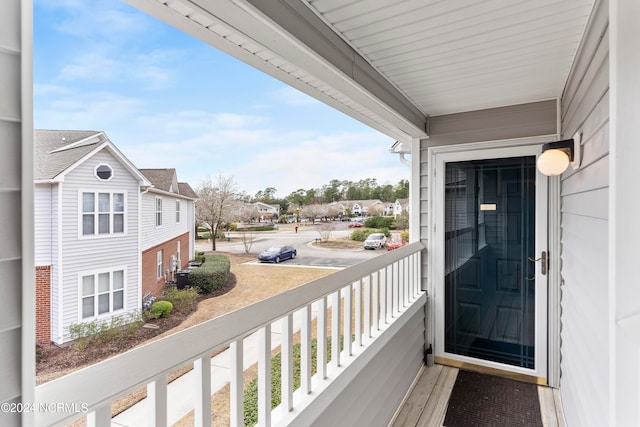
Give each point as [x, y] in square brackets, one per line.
[83, 254]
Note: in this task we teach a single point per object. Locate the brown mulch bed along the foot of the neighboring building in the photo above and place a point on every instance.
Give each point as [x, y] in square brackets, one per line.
[61, 360]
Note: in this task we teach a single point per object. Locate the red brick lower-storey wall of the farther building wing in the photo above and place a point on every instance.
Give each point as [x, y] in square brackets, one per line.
[150, 282]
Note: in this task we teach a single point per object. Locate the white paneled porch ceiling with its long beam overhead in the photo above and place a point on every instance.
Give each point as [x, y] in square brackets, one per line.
[393, 63]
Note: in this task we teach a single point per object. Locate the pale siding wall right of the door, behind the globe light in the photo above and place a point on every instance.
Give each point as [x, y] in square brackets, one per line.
[584, 381]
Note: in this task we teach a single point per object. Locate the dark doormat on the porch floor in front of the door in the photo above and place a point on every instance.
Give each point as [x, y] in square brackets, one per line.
[486, 400]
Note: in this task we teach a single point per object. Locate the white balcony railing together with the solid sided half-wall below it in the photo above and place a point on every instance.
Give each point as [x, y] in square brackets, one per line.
[359, 381]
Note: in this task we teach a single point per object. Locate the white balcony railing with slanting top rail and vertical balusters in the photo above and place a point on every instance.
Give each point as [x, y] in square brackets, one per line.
[370, 296]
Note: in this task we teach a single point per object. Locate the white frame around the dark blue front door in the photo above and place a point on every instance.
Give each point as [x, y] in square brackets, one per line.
[547, 318]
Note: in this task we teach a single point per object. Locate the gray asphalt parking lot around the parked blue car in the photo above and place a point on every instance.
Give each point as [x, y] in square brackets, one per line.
[308, 255]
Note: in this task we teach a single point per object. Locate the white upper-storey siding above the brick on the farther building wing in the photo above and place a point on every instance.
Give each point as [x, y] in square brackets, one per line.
[152, 235]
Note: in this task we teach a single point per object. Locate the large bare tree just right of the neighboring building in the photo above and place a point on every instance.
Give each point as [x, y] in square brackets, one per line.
[215, 203]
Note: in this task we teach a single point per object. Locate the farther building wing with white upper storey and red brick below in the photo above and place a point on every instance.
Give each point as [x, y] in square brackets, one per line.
[167, 238]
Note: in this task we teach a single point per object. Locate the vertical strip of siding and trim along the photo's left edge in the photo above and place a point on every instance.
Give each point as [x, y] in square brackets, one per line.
[14, 261]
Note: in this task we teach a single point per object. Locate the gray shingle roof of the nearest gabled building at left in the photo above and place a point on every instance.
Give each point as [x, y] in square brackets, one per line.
[56, 150]
